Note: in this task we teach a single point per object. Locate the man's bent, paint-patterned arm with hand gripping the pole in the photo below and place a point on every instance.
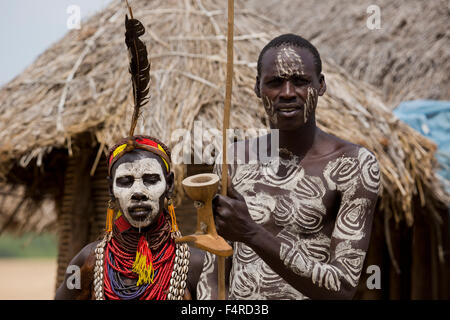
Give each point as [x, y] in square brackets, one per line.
[336, 279]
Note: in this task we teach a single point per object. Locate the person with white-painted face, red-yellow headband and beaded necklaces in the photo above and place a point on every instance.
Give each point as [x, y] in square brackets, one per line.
[137, 257]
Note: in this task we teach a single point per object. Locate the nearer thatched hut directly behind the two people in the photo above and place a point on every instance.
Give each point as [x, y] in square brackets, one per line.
[59, 116]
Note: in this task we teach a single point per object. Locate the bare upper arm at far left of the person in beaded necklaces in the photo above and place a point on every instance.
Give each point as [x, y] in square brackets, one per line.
[85, 261]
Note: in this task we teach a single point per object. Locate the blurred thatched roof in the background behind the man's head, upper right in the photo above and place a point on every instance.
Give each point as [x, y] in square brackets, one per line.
[408, 58]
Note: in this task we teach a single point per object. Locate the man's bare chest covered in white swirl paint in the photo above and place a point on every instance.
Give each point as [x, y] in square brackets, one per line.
[291, 198]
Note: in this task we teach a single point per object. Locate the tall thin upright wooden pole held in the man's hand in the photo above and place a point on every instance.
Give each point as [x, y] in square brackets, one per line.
[226, 124]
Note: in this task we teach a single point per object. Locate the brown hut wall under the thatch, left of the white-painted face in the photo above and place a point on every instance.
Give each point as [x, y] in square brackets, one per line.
[82, 213]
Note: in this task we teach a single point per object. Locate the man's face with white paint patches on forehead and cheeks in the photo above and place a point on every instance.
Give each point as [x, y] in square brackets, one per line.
[289, 86]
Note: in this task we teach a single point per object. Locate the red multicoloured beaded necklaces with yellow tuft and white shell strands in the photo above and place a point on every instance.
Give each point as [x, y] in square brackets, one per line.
[157, 266]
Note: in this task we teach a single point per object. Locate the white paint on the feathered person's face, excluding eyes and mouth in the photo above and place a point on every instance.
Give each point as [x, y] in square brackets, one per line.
[138, 169]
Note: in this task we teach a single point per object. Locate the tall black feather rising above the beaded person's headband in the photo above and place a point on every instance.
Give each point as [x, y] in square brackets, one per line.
[139, 67]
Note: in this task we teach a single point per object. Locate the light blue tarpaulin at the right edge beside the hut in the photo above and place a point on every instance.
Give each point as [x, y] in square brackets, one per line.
[432, 119]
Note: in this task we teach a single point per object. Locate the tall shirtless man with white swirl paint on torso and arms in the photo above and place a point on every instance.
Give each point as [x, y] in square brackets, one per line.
[300, 223]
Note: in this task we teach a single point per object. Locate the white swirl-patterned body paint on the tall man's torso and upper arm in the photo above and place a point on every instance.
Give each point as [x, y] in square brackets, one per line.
[297, 207]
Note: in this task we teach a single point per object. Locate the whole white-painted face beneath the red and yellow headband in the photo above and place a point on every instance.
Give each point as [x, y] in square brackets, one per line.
[138, 186]
